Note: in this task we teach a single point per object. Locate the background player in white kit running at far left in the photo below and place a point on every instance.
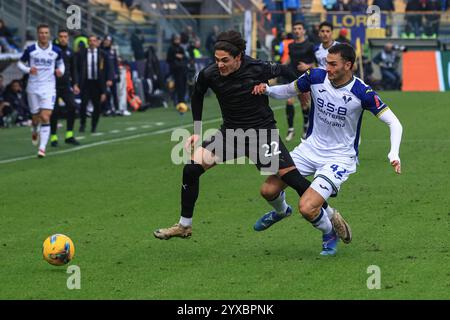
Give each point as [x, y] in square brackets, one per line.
[42, 61]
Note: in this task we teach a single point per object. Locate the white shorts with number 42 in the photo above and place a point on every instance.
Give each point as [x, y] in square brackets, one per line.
[329, 173]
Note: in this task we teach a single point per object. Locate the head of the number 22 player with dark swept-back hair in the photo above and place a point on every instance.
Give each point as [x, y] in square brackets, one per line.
[229, 51]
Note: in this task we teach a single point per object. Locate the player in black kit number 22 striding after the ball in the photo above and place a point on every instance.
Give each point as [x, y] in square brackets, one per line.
[232, 79]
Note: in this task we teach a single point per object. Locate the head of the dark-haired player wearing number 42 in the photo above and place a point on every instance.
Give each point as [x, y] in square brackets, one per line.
[340, 60]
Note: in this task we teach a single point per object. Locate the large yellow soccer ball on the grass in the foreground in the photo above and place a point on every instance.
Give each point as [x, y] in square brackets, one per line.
[58, 249]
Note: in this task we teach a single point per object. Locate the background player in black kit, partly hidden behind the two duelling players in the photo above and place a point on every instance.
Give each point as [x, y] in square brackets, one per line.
[301, 58]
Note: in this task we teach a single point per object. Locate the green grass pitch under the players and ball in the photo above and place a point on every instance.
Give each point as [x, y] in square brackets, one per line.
[110, 195]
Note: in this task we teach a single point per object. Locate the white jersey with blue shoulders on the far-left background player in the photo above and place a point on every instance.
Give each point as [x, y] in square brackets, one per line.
[45, 61]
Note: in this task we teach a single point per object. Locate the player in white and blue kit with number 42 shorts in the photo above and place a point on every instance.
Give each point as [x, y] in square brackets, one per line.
[330, 150]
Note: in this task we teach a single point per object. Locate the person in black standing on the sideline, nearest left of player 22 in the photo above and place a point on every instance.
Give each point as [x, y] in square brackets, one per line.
[177, 60]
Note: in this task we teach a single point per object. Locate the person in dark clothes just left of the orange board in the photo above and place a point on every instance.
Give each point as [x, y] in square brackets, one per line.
[388, 60]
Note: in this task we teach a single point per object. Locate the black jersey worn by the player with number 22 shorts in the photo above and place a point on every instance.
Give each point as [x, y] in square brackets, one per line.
[240, 109]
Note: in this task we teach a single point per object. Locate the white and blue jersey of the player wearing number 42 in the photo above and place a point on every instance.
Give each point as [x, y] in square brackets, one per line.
[336, 113]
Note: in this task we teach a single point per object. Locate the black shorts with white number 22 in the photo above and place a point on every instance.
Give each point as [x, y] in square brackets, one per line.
[262, 146]
